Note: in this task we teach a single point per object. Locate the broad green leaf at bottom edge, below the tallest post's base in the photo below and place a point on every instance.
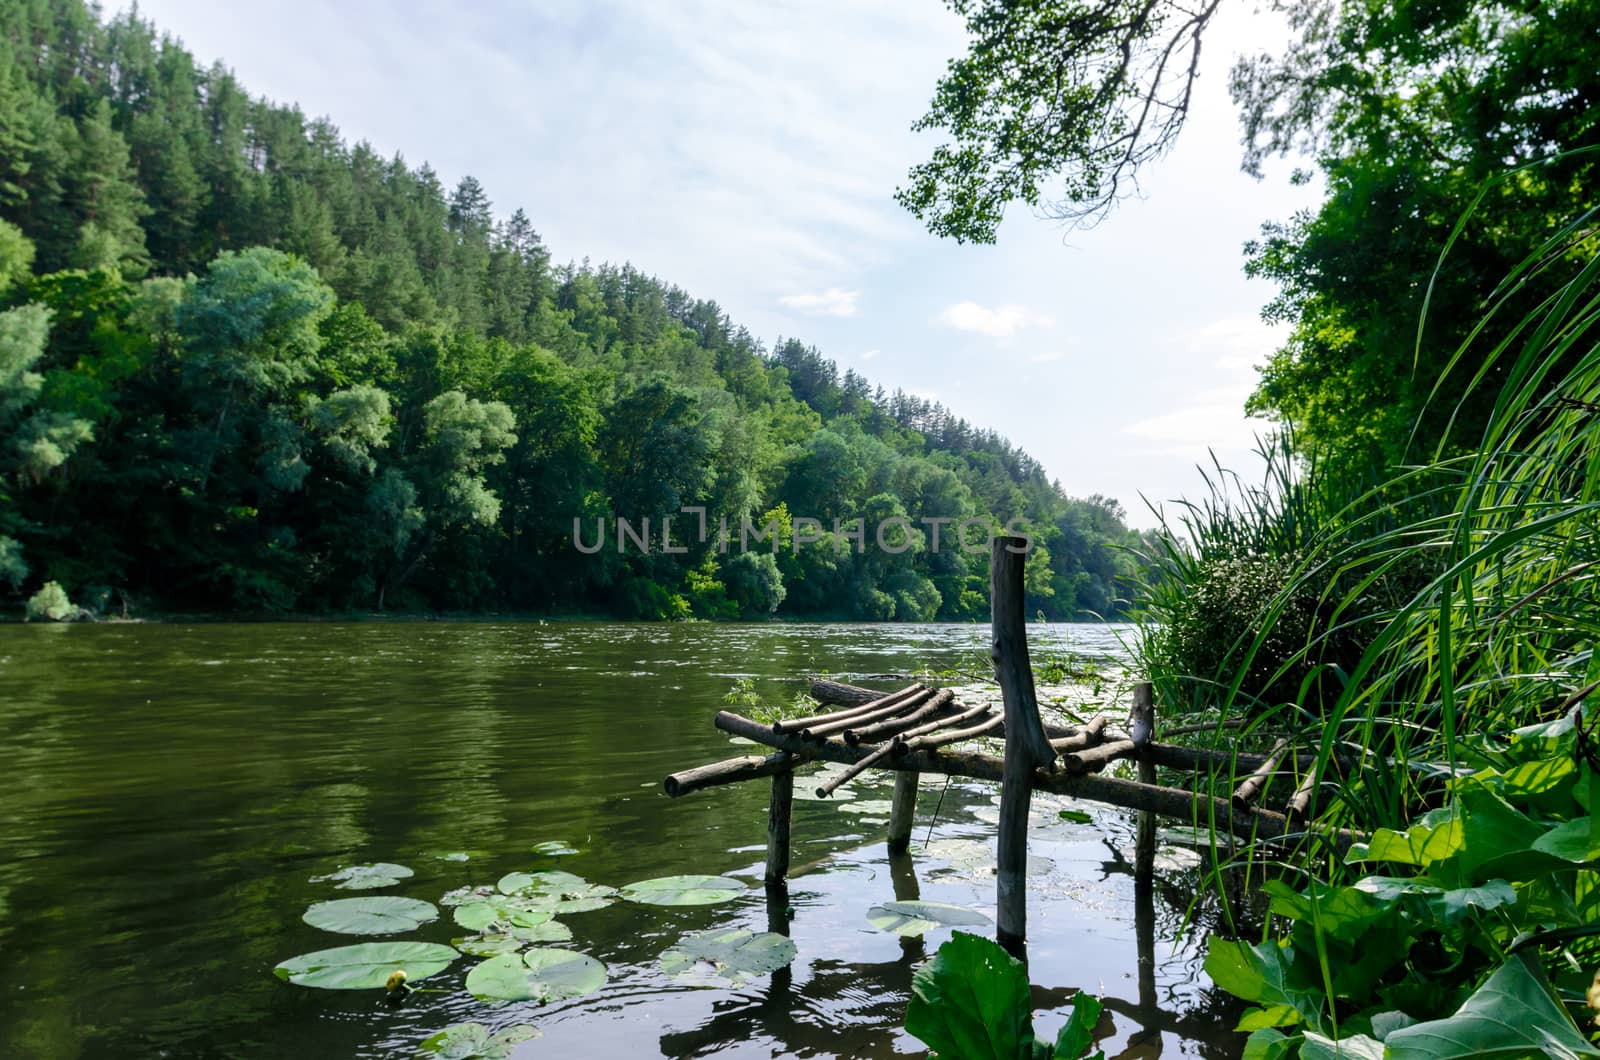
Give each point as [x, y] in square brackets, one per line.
[972, 1003]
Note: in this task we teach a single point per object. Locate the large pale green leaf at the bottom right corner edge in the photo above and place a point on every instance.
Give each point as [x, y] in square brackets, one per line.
[1513, 1014]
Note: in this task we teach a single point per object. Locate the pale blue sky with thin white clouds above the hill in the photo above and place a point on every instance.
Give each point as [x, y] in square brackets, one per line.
[750, 153]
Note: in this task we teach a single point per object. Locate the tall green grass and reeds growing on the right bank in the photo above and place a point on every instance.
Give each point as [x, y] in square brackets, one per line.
[1393, 624]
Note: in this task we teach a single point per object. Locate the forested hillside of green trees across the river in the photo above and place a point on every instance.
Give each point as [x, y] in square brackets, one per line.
[249, 367]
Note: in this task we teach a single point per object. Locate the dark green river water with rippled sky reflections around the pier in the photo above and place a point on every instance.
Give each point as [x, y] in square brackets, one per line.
[172, 790]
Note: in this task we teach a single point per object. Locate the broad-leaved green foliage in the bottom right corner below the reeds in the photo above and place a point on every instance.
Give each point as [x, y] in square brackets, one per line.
[1441, 960]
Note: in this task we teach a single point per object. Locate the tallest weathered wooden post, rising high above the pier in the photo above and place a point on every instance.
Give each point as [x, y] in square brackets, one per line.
[1026, 747]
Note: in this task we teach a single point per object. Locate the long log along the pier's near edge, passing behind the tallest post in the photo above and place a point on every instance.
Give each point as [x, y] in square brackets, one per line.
[1201, 809]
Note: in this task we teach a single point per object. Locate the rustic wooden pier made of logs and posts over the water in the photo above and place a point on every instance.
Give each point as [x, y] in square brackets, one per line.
[916, 731]
